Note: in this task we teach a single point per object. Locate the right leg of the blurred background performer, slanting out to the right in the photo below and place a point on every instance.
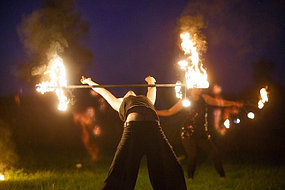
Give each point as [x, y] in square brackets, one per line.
[208, 146]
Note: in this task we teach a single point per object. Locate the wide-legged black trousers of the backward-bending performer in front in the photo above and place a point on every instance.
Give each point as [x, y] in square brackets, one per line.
[144, 138]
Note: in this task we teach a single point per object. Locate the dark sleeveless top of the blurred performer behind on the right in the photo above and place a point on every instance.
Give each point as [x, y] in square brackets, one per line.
[197, 115]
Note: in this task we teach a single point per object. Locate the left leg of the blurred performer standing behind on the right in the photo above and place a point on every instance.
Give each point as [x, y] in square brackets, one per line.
[189, 145]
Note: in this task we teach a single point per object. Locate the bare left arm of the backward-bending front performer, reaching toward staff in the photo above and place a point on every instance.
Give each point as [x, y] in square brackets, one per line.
[114, 102]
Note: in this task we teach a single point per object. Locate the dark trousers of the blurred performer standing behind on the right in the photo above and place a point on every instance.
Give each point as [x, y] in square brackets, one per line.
[202, 141]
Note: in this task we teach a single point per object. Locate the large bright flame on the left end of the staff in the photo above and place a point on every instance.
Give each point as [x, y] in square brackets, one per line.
[57, 81]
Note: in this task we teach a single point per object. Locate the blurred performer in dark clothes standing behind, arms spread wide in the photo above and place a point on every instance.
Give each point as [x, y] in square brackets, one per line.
[194, 132]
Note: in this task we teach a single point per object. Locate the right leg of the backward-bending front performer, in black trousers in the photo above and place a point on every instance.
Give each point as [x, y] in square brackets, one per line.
[164, 170]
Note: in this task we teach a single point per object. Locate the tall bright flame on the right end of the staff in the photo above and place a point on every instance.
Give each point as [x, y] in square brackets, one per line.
[196, 76]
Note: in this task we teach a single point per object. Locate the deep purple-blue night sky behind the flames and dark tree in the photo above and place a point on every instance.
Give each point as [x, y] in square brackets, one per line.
[132, 39]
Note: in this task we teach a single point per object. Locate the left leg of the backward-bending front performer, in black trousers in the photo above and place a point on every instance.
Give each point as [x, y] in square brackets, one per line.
[124, 168]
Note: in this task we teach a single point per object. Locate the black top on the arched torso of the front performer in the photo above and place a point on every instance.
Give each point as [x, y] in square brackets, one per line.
[132, 102]
